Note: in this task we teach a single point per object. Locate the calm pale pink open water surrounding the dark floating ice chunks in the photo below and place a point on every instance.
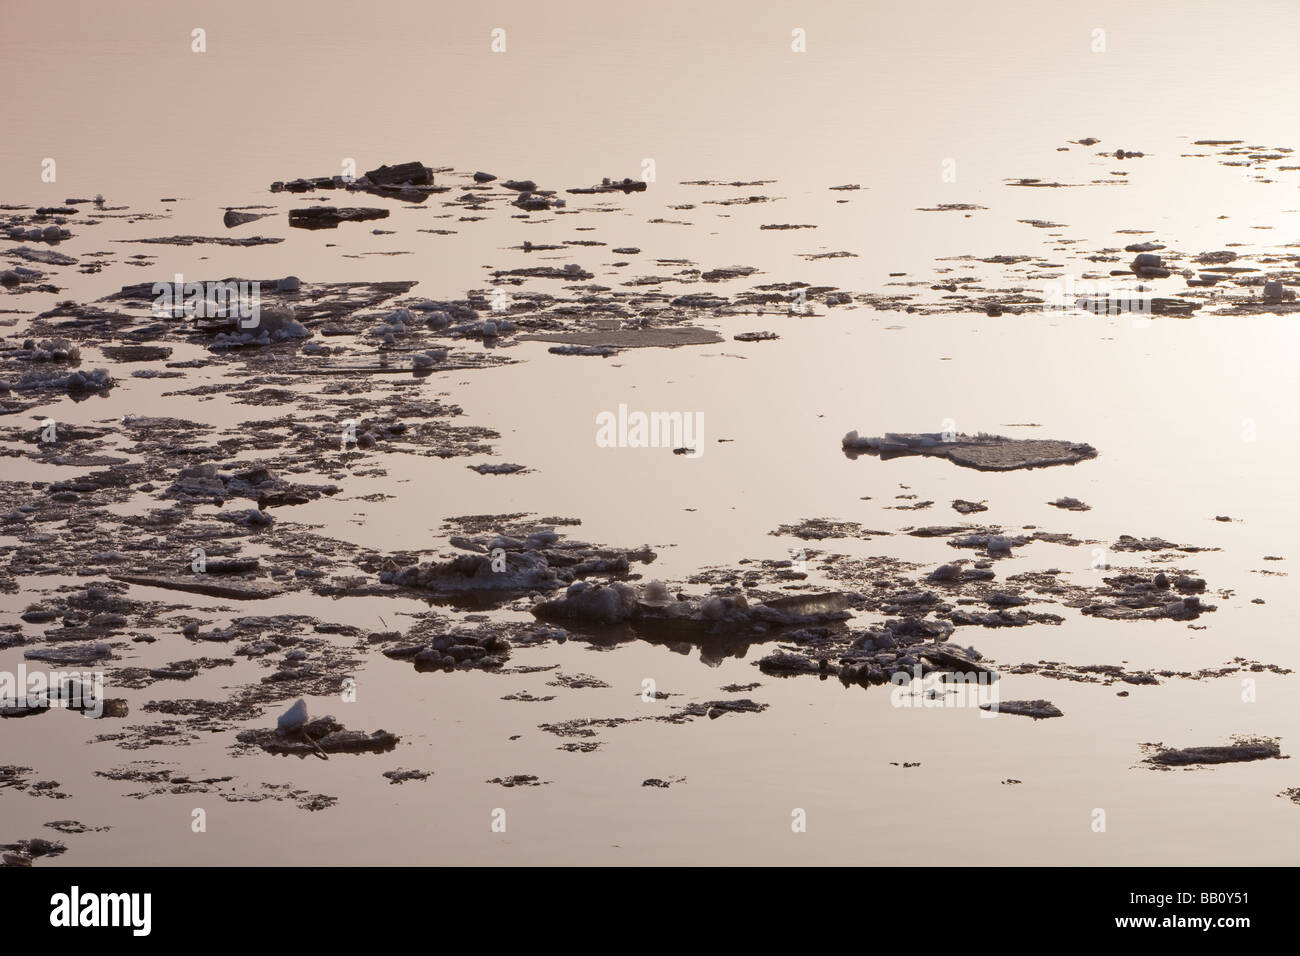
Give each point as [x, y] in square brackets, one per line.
[921, 105]
